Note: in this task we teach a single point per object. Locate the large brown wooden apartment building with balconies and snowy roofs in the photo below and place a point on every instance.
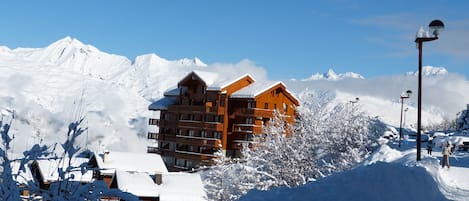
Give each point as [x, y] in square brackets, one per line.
[208, 111]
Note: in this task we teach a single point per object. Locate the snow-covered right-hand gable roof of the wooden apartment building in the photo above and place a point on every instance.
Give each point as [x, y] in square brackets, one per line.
[258, 88]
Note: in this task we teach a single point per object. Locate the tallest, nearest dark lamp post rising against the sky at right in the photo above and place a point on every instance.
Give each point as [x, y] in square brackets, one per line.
[424, 36]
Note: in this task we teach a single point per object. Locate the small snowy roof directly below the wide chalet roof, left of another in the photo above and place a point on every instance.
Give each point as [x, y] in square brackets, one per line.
[137, 183]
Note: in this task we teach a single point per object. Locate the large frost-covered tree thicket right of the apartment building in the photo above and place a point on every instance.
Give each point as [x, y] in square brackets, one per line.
[326, 138]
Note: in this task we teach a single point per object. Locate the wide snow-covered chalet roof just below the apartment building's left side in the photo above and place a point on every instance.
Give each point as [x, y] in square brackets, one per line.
[134, 162]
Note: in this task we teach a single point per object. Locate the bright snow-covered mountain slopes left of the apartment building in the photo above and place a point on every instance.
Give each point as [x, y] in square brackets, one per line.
[49, 87]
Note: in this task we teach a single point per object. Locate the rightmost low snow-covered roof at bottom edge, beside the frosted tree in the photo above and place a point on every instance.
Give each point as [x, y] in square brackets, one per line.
[180, 186]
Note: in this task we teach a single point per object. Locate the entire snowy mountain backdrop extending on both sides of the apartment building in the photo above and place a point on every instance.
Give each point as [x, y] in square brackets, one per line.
[51, 86]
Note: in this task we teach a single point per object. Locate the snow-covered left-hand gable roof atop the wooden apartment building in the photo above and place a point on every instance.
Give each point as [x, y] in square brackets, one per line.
[216, 81]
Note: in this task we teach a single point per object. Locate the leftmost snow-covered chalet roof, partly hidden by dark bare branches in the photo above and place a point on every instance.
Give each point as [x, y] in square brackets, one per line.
[49, 169]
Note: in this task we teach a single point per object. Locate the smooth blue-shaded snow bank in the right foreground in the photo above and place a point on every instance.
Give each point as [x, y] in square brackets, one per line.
[378, 181]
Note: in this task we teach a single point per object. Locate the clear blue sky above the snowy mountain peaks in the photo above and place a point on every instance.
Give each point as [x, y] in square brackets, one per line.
[290, 39]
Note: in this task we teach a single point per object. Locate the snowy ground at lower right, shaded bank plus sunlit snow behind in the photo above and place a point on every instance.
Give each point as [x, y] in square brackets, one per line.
[391, 173]
